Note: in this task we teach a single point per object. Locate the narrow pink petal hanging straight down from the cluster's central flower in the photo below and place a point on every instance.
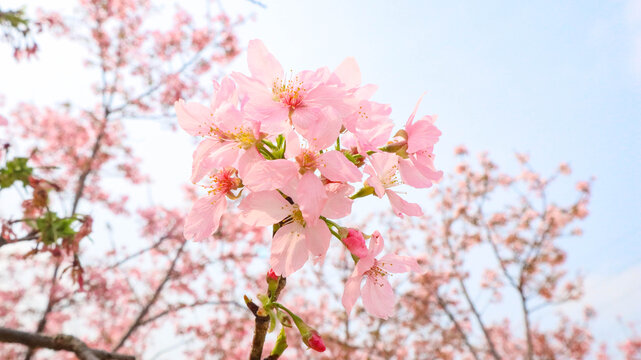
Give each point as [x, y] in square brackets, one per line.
[311, 197]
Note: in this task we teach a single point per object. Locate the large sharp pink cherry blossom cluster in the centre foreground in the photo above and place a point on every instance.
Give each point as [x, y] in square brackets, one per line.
[293, 148]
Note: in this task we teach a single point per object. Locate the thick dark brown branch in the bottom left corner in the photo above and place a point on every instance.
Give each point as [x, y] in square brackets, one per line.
[59, 342]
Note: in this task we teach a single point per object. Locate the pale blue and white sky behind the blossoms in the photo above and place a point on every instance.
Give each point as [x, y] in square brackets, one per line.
[560, 81]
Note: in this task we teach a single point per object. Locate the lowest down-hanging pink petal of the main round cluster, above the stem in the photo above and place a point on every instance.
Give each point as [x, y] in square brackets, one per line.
[289, 249]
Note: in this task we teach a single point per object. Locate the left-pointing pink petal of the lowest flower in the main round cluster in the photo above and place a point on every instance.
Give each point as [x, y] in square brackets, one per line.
[264, 208]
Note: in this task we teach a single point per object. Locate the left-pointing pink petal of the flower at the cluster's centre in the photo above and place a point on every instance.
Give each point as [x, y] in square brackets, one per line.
[269, 174]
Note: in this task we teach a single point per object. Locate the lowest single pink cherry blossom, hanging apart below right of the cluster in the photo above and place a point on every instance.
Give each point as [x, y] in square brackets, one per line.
[377, 294]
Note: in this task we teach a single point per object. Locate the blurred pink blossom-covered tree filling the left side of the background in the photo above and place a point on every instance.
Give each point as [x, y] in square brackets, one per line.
[61, 155]
